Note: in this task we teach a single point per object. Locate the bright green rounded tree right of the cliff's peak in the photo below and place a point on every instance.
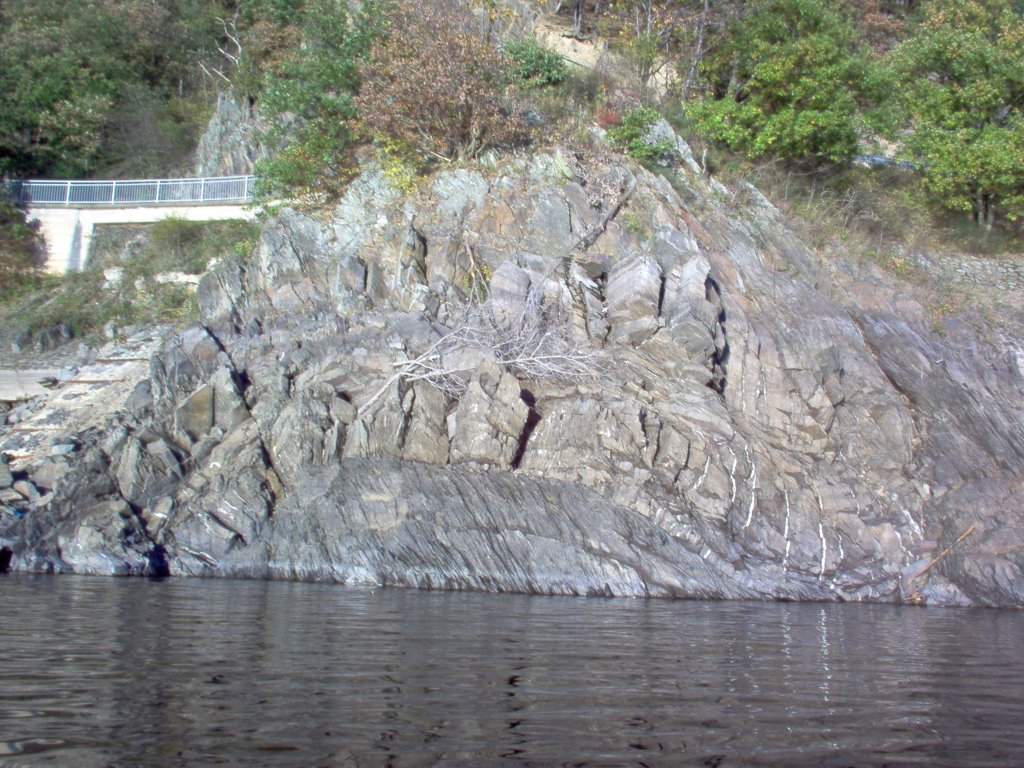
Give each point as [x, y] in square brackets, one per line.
[785, 79]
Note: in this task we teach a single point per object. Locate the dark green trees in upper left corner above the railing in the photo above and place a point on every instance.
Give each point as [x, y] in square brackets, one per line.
[69, 70]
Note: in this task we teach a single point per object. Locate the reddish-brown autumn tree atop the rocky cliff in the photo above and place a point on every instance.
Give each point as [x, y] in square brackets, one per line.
[438, 86]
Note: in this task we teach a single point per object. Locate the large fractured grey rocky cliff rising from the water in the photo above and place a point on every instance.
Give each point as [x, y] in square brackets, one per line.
[750, 421]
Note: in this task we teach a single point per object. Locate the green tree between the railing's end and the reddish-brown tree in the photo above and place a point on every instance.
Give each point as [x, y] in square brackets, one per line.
[309, 98]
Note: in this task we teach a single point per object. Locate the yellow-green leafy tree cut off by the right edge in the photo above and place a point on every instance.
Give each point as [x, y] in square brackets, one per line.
[962, 72]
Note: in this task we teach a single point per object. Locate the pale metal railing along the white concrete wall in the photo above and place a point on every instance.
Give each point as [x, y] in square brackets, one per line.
[134, 193]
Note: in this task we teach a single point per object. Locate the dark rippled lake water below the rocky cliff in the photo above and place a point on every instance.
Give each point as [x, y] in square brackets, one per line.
[107, 672]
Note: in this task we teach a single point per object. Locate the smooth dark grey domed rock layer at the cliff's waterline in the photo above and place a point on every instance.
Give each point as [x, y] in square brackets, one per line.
[411, 525]
